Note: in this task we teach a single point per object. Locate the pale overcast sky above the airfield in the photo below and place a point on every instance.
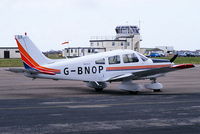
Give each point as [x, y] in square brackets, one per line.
[51, 22]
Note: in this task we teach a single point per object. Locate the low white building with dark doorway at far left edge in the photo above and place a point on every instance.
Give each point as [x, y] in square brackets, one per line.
[9, 52]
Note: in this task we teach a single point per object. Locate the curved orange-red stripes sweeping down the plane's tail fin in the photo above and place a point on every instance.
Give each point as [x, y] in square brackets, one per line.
[32, 63]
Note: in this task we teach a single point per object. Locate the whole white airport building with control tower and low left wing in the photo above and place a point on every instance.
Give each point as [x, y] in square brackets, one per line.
[127, 37]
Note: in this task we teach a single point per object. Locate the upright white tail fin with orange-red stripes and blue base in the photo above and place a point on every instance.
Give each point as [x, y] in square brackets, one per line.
[32, 57]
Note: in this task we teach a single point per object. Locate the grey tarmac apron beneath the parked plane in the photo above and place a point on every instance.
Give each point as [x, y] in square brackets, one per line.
[60, 107]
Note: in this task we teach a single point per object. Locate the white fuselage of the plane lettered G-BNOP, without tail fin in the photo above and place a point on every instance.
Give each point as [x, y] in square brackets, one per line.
[91, 67]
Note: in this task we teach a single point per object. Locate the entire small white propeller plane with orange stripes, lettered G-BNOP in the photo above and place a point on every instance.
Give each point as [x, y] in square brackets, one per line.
[96, 70]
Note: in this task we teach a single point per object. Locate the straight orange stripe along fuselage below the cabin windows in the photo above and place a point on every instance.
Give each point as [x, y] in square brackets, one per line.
[136, 67]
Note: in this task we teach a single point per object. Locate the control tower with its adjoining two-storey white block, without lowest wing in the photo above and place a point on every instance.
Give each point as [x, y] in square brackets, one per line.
[127, 37]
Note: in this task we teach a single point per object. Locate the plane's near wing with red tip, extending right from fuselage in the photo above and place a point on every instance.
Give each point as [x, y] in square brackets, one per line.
[150, 73]
